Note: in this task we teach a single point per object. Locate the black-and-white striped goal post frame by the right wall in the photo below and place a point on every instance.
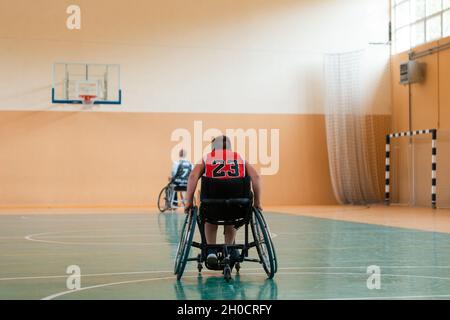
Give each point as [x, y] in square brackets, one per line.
[391, 136]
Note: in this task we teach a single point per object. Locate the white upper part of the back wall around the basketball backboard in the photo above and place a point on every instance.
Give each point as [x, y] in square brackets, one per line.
[234, 56]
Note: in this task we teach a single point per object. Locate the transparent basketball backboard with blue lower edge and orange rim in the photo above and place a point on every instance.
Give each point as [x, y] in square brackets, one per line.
[86, 83]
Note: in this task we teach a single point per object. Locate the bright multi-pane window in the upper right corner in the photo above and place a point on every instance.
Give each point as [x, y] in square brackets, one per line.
[416, 22]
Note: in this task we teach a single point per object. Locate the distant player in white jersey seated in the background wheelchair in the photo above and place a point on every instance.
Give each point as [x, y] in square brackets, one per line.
[171, 196]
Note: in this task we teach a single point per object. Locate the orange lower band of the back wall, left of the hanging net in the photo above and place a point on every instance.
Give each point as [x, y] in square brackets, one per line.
[123, 159]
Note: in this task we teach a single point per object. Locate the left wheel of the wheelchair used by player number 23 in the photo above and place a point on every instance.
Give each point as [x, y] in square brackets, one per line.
[184, 247]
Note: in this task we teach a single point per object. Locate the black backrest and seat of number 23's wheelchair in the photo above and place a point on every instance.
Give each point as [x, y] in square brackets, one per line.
[226, 201]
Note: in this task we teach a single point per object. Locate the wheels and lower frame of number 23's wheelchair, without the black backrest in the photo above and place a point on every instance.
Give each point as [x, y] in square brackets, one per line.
[262, 241]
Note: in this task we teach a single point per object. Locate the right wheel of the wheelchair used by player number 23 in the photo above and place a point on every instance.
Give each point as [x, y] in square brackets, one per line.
[264, 245]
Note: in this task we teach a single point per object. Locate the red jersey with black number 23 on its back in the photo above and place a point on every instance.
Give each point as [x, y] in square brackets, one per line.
[224, 164]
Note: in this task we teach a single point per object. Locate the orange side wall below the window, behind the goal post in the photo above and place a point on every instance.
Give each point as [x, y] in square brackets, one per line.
[430, 108]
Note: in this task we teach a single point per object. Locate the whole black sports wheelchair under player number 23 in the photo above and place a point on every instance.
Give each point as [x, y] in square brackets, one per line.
[226, 202]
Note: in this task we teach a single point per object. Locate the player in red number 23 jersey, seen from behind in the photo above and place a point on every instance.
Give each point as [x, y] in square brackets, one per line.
[222, 163]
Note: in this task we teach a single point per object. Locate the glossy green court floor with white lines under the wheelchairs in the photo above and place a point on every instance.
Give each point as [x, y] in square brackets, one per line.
[130, 256]
